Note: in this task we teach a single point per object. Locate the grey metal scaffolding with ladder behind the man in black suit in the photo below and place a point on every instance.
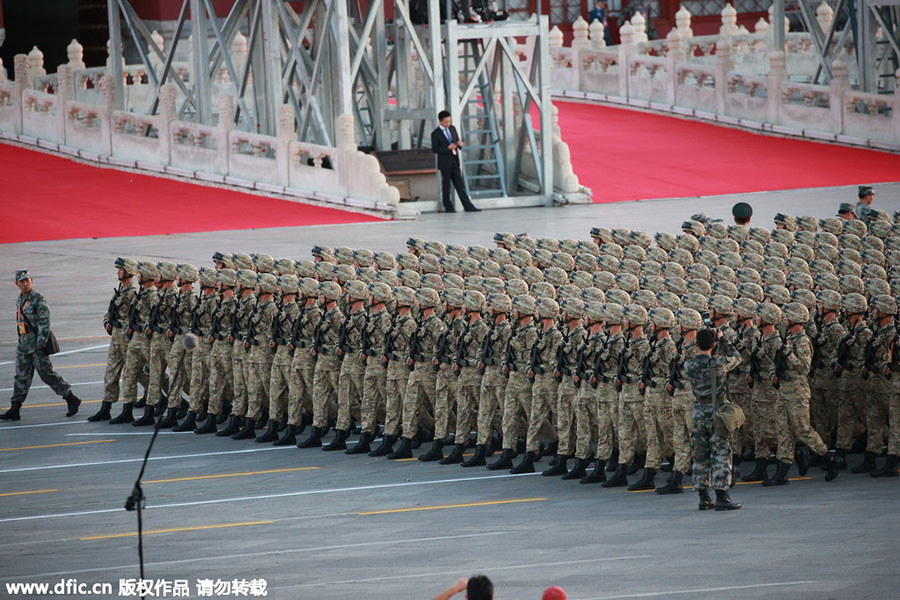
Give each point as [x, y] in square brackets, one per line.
[345, 57]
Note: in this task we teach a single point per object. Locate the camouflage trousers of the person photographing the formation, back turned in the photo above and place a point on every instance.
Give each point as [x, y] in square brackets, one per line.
[712, 452]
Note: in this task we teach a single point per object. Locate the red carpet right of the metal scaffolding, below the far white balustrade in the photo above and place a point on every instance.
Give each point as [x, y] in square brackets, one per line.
[630, 155]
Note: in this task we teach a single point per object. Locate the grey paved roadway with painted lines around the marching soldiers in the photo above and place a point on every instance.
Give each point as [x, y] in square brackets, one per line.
[296, 517]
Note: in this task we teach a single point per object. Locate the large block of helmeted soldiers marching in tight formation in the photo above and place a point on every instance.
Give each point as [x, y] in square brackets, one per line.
[534, 347]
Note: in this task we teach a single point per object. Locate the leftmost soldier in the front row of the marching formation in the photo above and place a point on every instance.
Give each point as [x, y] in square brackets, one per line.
[115, 321]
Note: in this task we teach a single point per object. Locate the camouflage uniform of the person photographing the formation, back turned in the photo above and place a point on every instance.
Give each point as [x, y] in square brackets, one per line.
[712, 452]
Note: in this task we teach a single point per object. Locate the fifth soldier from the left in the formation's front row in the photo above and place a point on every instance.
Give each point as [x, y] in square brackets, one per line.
[201, 326]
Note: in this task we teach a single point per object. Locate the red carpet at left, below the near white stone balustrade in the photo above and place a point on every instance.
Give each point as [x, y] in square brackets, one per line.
[46, 197]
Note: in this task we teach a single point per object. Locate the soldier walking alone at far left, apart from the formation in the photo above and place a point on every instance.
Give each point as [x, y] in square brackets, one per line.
[33, 327]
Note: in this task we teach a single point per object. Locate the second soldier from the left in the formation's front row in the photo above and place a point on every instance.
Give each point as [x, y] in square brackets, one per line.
[138, 353]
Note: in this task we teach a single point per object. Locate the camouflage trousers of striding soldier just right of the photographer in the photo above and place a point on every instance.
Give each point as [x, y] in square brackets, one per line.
[792, 420]
